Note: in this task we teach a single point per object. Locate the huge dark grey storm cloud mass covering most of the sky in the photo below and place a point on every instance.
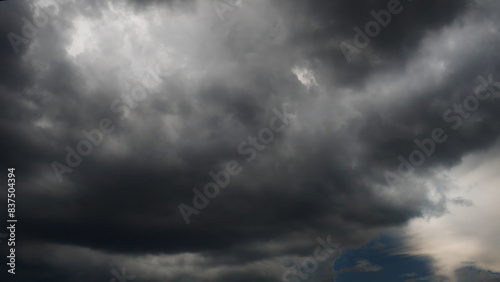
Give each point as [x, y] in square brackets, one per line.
[320, 176]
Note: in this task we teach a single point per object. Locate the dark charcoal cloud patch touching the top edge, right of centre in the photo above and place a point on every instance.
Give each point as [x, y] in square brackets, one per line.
[321, 26]
